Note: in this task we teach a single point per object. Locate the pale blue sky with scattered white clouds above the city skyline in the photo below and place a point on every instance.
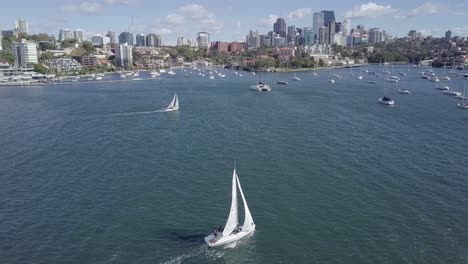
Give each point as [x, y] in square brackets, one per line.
[230, 20]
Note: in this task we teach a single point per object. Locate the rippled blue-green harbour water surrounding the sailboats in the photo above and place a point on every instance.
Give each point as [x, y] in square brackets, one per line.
[93, 173]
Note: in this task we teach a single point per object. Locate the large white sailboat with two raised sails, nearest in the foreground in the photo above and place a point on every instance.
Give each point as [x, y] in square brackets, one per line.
[232, 230]
